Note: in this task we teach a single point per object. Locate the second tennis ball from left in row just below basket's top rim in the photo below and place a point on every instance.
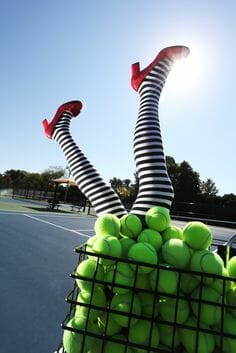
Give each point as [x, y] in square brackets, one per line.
[121, 276]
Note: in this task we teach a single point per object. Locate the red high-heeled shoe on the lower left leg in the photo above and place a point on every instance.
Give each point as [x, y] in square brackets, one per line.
[74, 107]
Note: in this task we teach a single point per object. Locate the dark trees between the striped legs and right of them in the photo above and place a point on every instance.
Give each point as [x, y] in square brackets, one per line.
[192, 195]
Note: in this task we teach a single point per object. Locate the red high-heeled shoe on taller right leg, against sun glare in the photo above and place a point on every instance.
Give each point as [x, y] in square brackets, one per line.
[175, 52]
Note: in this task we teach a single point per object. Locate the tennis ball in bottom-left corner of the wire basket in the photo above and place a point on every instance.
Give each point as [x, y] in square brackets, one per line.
[74, 342]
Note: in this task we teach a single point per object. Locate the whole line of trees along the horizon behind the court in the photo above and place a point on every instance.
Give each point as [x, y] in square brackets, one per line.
[188, 187]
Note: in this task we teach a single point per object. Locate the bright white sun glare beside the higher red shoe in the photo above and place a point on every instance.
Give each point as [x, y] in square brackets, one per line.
[186, 73]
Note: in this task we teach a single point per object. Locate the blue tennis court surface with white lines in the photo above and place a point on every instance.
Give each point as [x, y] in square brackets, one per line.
[36, 258]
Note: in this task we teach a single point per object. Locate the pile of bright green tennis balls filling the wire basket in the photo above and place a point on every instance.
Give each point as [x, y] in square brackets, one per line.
[143, 288]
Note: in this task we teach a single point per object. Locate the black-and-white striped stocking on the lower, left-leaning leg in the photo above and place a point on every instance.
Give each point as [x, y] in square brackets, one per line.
[102, 197]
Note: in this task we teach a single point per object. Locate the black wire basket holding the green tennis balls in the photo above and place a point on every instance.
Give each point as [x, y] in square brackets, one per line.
[169, 328]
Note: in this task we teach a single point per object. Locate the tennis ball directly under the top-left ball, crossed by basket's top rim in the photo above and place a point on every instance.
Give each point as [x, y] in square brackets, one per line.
[107, 245]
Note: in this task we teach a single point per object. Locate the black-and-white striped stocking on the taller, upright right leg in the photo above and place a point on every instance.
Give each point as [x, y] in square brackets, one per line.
[155, 188]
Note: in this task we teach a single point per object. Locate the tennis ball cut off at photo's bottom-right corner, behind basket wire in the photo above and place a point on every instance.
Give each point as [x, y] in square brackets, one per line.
[229, 327]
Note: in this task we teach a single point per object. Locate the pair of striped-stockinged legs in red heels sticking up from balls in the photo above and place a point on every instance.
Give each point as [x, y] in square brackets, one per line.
[155, 188]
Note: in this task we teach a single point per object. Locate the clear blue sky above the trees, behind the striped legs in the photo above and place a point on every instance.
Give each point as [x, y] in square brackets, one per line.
[55, 51]
